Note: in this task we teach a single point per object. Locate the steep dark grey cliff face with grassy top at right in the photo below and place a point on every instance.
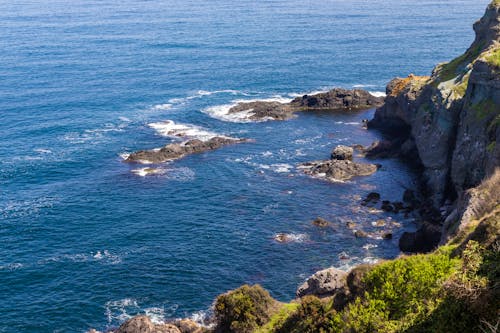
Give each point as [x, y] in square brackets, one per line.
[452, 117]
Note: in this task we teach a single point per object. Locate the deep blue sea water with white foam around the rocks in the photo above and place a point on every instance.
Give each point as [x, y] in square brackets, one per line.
[86, 241]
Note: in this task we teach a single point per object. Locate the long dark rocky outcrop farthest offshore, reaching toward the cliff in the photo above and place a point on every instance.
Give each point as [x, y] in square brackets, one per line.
[334, 100]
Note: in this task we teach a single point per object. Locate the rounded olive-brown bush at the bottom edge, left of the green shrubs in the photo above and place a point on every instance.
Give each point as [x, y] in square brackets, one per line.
[243, 310]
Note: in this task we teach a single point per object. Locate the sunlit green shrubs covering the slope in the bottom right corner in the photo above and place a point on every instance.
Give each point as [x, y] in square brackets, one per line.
[454, 289]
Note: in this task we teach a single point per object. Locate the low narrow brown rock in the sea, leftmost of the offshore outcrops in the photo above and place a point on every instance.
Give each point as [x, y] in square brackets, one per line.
[175, 151]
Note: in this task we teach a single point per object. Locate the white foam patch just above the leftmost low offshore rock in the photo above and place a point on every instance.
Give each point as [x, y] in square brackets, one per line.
[172, 129]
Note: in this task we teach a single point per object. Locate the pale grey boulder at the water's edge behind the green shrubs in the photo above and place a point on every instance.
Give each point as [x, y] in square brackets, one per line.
[324, 283]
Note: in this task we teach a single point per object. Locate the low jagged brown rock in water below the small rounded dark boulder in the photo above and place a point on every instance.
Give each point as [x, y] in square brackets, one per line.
[338, 170]
